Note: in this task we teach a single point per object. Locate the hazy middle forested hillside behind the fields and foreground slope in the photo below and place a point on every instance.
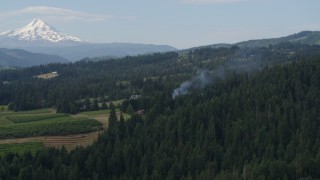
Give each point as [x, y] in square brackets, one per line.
[145, 75]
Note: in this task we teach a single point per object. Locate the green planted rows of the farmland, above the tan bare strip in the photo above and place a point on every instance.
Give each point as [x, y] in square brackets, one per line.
[29, 125]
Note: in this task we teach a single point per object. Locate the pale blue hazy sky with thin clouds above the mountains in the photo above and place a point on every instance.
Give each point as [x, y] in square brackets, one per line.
[180, 23]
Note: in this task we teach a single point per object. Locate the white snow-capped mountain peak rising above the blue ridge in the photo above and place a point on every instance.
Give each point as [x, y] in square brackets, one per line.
[38, 30]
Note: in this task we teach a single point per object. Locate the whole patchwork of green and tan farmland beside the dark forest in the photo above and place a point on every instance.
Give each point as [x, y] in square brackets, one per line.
[21, 131]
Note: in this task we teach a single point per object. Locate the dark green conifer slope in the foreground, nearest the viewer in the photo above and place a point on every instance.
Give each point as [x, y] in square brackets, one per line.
[242, 126]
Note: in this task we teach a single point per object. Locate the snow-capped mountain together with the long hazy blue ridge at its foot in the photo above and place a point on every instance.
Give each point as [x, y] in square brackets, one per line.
[39, 37]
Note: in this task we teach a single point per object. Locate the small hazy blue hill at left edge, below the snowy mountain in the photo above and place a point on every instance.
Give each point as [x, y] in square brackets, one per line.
[22, 58]
